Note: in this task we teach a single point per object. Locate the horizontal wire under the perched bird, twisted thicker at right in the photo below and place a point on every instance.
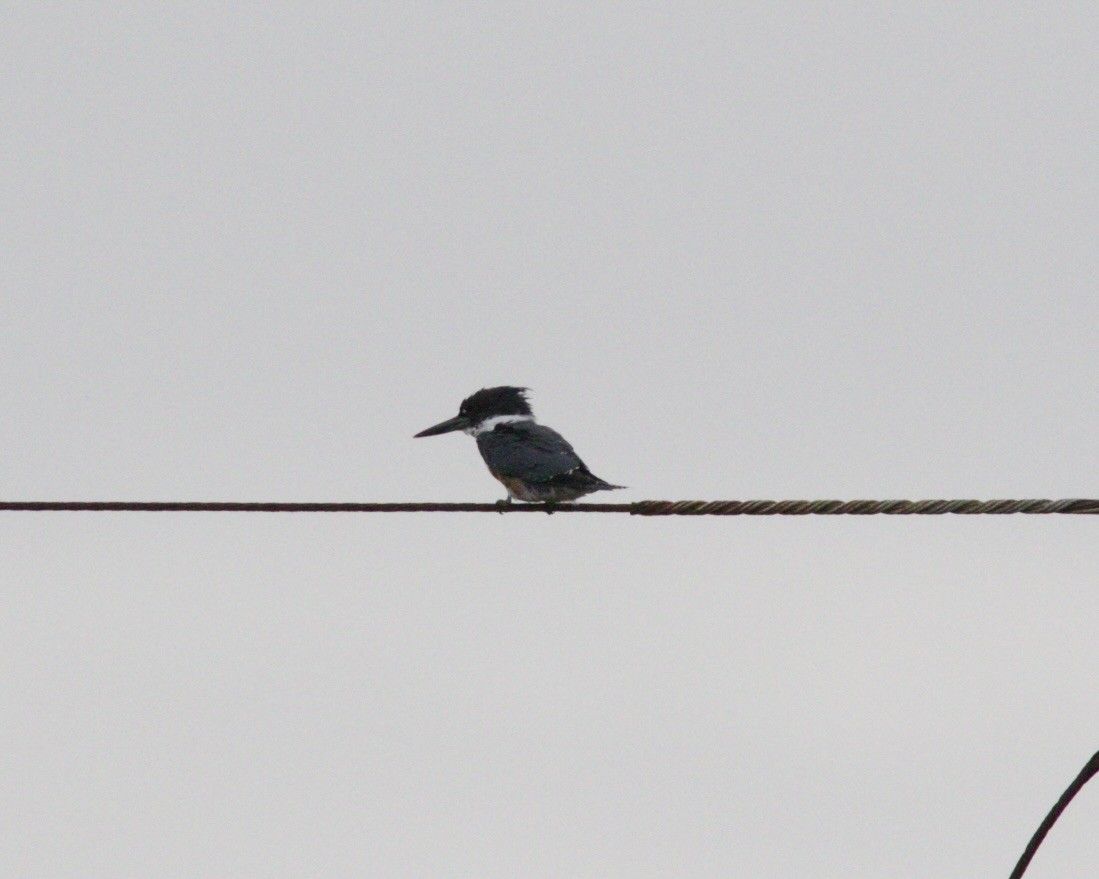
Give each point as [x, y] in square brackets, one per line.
[1079, 506]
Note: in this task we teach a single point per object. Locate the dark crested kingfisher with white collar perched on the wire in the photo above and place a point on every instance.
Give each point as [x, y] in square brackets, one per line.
[534, 462]
